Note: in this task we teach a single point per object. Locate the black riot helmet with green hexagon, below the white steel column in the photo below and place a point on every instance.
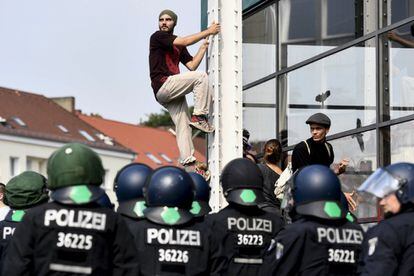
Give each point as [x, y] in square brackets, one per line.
[242, 182]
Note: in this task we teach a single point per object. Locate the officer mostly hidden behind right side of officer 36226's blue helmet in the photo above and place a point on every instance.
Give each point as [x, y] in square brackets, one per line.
[200, 206]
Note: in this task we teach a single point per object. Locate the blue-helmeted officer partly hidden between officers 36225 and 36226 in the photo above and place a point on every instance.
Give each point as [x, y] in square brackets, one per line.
[129, 183]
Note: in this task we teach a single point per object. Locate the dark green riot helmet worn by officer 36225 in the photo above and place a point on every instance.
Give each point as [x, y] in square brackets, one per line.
[75, 173]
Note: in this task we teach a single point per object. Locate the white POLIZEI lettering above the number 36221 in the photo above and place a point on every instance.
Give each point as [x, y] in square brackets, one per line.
[339, 236]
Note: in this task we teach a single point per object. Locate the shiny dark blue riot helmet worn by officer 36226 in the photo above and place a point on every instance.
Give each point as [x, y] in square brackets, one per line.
[169, 194]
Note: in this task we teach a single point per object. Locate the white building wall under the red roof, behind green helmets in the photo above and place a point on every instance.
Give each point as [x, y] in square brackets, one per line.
[39, 151]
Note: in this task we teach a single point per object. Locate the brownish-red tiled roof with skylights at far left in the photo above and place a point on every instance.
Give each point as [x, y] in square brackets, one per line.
[42, 117]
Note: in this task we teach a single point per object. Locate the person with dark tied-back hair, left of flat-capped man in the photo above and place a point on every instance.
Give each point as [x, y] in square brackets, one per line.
[271, 171]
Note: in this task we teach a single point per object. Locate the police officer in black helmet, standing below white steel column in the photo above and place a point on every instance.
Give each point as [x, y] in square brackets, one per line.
[244, 230]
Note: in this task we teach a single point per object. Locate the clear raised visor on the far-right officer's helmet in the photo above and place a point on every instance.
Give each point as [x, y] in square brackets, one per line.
[380, 184]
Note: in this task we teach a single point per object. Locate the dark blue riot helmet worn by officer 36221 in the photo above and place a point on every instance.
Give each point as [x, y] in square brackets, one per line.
[317, 192]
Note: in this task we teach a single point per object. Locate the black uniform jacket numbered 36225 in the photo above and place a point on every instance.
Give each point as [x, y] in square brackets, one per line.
[57, 239]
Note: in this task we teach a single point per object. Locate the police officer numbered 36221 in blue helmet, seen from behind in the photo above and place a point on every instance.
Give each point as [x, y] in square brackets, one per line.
[321, 241]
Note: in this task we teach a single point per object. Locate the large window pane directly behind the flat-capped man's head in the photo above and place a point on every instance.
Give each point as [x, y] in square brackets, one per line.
[341, 86]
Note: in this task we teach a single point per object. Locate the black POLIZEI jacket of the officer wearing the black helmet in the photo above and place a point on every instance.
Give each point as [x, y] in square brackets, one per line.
[244, 233]
